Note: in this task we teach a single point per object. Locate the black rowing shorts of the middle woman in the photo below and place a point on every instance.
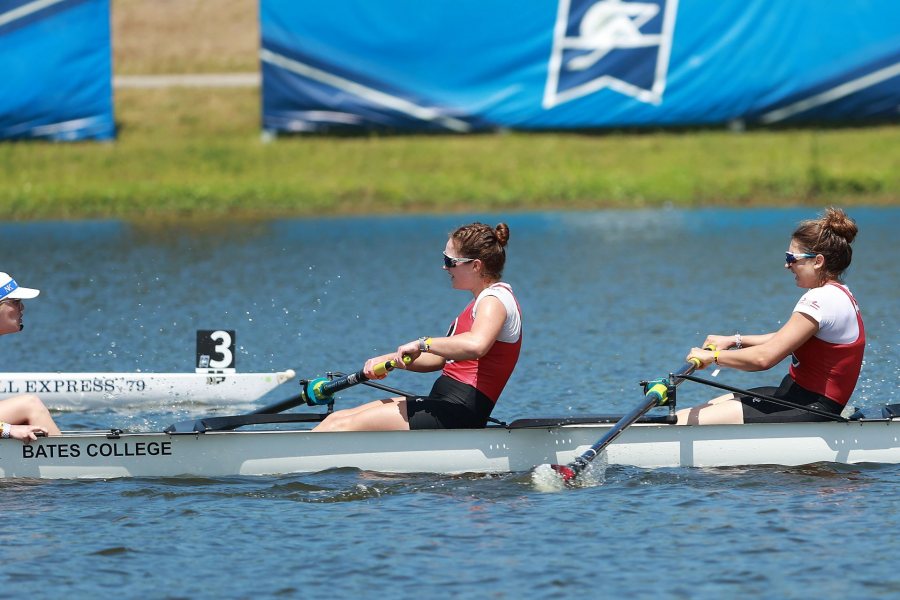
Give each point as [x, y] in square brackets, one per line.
[450, 405]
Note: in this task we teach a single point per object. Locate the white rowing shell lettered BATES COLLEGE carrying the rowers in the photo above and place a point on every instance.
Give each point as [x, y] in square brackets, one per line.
[516, 448]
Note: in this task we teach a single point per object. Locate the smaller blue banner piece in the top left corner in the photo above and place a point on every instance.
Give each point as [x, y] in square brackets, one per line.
[55, 70]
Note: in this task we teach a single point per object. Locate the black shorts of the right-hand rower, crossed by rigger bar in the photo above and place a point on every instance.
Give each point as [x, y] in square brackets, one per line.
[763, 411]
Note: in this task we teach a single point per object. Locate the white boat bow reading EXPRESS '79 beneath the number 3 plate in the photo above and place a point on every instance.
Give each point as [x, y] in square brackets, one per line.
[86, 391]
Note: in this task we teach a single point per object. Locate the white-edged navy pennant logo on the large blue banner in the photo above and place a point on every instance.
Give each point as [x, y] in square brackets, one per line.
[615, 44]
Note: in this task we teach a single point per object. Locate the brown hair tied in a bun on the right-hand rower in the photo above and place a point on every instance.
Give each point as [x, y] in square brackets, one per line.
[830, 235]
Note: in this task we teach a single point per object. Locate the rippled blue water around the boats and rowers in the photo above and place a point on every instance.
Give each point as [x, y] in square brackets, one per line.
[609, 298]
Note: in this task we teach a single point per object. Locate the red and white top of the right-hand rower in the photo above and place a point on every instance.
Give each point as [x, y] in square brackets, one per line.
[829, 362]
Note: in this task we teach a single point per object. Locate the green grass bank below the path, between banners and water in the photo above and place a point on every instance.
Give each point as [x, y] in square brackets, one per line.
[199, 152]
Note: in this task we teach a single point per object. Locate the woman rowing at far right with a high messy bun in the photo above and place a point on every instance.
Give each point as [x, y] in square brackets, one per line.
[825, 334]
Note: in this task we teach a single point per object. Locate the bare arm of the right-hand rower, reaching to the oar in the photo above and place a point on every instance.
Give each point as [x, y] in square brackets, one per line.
[773, 349]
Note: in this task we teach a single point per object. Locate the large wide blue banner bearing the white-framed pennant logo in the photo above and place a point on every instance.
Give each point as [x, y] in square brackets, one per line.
[468, 65]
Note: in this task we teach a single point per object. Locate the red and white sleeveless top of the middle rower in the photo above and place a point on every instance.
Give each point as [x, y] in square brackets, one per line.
[489, 373]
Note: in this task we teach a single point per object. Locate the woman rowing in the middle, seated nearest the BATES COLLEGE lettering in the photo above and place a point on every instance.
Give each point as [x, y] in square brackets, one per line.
[477, 356]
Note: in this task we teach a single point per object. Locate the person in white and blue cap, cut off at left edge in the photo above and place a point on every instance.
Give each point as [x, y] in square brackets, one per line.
[24, 416]
